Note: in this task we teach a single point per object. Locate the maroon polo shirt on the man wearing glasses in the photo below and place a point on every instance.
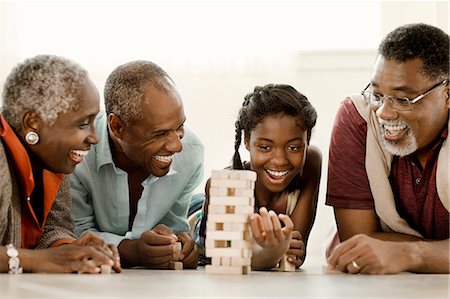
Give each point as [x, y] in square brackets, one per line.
[414, 188]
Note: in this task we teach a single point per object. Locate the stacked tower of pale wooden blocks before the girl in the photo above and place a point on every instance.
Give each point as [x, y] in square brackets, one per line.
[228, 233]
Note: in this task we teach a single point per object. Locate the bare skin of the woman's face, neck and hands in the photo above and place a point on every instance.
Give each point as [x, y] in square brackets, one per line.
[54, 153]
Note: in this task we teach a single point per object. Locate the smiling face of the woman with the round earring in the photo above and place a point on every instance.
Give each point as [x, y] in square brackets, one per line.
[62, 146]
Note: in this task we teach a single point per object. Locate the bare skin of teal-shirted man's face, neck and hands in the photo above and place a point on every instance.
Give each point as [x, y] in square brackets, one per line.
[146, 149]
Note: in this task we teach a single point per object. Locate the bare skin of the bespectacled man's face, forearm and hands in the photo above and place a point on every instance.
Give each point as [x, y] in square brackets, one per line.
[363, 240]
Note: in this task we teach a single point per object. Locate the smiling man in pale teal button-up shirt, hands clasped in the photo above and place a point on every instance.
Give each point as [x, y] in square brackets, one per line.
[134, 187]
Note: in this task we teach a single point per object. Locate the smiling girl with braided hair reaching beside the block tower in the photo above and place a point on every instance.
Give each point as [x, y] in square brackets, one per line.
[275, 124]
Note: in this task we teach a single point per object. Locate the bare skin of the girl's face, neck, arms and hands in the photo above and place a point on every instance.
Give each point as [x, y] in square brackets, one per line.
[279, 144]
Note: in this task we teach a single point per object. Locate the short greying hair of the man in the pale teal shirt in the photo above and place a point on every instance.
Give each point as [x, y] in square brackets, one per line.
[125, 87]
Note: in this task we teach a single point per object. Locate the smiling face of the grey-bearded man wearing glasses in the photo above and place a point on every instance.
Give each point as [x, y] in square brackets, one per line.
[405, 132]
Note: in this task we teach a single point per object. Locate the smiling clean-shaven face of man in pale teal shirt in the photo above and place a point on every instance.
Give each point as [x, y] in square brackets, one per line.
[149, 144]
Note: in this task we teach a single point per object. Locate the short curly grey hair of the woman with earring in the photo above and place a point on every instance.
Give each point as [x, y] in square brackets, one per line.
[45, 84]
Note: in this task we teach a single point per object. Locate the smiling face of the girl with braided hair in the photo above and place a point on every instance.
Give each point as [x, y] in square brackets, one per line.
[277, 149]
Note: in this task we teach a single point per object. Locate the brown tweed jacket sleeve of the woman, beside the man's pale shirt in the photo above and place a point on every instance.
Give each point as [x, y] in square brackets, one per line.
[59, 228]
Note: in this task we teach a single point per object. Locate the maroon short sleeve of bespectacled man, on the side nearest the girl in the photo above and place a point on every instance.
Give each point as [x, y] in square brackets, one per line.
[348, 185]
